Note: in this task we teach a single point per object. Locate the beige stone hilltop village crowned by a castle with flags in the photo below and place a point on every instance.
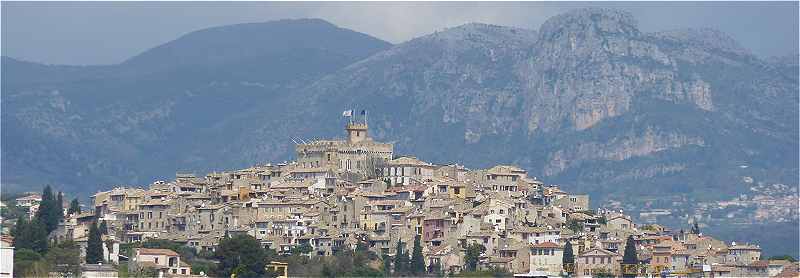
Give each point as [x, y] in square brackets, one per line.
[350, 193]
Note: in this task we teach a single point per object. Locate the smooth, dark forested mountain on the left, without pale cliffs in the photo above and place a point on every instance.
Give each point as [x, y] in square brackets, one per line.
[90, 127]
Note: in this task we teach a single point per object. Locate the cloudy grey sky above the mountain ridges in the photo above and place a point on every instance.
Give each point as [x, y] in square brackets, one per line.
[90, 33]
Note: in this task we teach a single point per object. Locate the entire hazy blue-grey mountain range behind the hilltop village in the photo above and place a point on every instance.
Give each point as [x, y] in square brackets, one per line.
[669, 119]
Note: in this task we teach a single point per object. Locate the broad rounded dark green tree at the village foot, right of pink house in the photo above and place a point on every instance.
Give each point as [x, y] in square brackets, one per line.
[241, 255]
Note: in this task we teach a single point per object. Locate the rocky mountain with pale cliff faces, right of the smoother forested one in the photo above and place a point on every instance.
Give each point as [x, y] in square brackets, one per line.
[588, 102]
